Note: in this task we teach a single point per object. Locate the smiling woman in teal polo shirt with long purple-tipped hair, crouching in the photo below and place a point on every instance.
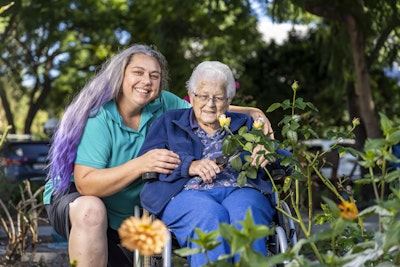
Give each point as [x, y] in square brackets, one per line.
[94, 177]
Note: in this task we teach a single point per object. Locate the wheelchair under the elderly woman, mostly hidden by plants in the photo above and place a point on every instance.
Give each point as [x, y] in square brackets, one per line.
[285, 236]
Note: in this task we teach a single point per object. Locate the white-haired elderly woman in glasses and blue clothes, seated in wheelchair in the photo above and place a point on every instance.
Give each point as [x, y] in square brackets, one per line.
[198, 194]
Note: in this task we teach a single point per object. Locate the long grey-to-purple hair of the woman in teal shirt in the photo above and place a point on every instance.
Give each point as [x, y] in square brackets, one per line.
[103, 87]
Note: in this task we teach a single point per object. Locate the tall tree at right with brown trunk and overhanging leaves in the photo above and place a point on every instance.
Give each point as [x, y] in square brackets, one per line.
[363, 36]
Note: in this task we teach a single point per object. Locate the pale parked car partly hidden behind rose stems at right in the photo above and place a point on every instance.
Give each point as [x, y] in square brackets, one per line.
[345, 166]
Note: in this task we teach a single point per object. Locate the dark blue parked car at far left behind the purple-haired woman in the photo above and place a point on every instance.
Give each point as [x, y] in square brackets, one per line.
[22, 159]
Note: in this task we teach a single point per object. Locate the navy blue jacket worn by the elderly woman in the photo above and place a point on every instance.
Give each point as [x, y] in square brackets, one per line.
[173, 131]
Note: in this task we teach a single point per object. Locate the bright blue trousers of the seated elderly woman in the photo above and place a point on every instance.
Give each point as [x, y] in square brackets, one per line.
[206, 209]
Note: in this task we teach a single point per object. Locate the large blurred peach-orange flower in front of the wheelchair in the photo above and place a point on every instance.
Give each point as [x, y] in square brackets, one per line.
[143, 234]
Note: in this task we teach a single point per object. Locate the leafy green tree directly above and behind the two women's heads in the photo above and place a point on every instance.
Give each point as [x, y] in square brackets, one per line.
[188, 32]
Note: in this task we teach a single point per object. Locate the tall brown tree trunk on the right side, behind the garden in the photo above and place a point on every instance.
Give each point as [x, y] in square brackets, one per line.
[362, 89]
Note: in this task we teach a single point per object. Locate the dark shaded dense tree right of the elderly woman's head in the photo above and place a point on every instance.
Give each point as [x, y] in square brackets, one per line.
[270, 75]
